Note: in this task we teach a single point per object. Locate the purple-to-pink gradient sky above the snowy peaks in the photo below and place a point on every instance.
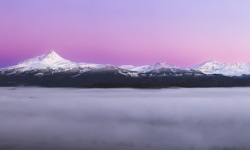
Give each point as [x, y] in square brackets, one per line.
[180, 32]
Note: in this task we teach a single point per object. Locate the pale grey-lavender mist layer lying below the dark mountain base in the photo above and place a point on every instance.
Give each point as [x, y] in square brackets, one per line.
[124, 119]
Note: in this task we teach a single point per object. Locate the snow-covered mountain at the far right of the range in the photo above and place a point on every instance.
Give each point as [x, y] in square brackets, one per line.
[234, 69]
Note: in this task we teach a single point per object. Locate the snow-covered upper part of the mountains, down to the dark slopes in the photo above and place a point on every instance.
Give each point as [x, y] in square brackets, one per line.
[53, 61]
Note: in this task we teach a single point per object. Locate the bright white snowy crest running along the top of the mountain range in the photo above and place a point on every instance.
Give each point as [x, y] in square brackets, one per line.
[54, 61]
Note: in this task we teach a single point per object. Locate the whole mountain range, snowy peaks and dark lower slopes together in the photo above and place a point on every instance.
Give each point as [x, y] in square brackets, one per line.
[52, 70]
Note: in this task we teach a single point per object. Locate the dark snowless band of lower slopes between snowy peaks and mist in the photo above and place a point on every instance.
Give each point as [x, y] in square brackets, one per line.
[110, 79]
